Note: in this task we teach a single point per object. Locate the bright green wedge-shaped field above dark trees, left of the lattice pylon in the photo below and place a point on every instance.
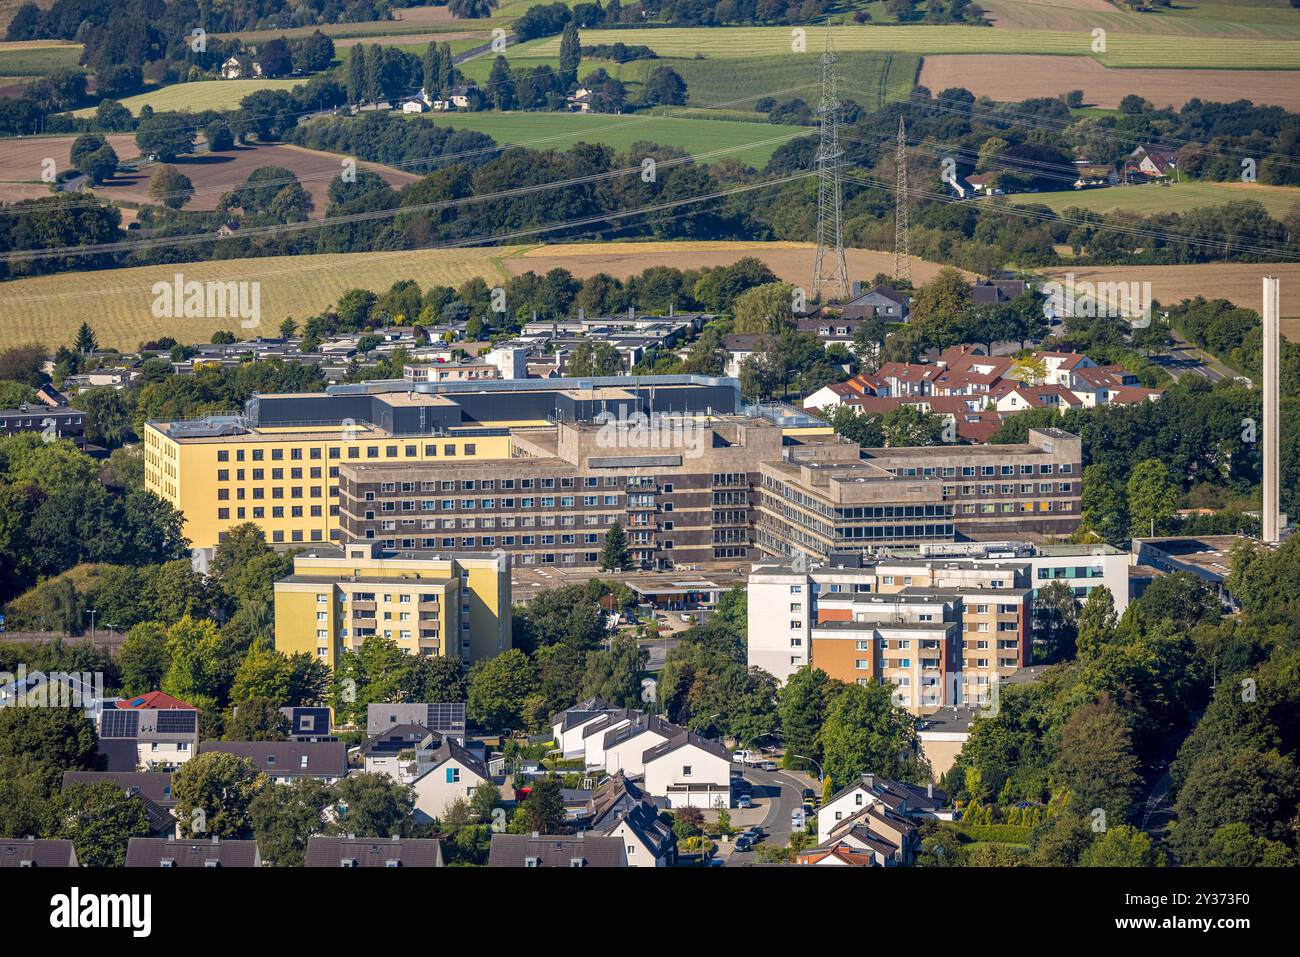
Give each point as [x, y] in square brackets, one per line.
[751, 144]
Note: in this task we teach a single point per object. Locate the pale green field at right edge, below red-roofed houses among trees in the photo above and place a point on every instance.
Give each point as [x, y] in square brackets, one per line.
[1167, 200]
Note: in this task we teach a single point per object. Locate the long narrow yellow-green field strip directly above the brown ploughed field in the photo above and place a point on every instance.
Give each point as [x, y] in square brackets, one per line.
[1123, 50]
